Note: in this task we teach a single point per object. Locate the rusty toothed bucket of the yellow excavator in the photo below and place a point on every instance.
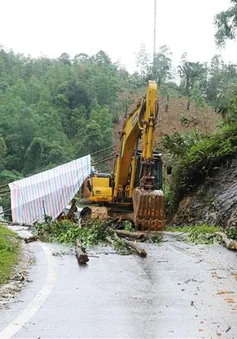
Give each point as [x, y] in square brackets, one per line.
[148, 209]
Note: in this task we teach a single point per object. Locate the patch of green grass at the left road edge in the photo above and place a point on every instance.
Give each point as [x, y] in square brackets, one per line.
[9, 253]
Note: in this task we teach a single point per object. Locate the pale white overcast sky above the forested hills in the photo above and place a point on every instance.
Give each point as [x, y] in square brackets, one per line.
[119, 27]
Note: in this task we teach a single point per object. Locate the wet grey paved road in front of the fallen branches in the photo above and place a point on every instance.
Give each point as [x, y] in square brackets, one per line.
[178, 291]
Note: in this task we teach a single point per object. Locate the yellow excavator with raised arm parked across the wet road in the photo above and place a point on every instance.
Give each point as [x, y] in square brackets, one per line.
[134, 190]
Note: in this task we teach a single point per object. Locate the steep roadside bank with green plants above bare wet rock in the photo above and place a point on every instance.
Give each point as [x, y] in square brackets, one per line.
[203, 187]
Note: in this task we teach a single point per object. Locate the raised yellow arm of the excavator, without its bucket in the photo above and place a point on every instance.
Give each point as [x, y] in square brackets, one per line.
[140, 124]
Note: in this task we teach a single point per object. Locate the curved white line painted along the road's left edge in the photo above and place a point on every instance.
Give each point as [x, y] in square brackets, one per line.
[36, 303]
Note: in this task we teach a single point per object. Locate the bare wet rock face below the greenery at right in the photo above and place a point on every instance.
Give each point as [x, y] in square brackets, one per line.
[214, 203]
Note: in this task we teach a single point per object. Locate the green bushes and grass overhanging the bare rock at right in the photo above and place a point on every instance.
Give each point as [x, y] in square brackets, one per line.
[196, 158]
